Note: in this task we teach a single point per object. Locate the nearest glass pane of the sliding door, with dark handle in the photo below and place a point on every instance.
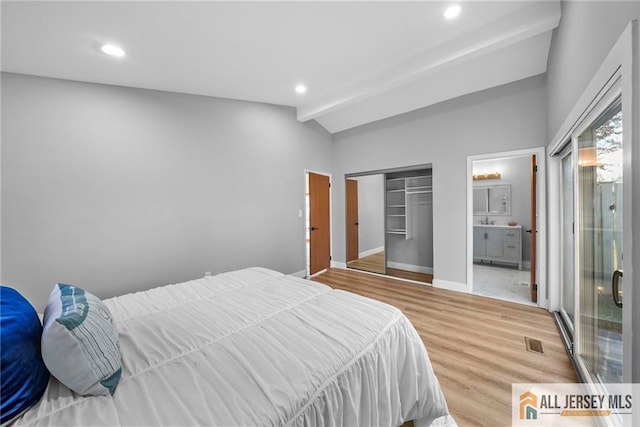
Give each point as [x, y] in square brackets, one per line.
[599, 255]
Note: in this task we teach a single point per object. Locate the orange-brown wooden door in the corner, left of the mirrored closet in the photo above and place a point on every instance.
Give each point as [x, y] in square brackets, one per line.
[319, 232]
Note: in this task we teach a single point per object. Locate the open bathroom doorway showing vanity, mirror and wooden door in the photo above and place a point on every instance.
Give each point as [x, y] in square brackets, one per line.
[505, 226]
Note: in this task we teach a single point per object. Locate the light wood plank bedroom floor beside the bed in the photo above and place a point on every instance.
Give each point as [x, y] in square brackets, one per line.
[476, 344]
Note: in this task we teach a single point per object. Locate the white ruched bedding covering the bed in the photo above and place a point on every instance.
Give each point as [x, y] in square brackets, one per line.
[255, 347]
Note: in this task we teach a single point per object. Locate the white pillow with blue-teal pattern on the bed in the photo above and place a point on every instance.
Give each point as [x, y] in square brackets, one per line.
[80, 342]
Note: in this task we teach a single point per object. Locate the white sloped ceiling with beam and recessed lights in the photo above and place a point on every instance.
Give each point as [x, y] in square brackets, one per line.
[362, 61]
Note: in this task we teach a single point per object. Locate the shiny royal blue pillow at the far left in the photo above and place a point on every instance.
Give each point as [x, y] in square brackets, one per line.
[24, 376]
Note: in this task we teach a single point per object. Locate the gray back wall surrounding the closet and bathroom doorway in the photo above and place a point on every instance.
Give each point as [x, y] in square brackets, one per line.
[505, 118]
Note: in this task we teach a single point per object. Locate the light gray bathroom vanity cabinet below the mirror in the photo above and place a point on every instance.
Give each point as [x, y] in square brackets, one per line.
[498, 243]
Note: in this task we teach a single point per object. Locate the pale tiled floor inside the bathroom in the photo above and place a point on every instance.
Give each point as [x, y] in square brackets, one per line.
[502, 283]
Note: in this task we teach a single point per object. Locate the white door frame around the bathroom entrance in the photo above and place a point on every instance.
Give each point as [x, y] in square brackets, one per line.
[543, 291]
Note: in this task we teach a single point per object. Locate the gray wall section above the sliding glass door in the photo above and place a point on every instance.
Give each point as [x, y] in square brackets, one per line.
[587, 32]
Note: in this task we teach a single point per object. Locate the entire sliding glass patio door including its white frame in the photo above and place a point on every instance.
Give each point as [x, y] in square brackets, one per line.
[595, 175]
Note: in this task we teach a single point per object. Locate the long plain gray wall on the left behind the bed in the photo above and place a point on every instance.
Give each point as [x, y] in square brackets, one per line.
[118, 189]
